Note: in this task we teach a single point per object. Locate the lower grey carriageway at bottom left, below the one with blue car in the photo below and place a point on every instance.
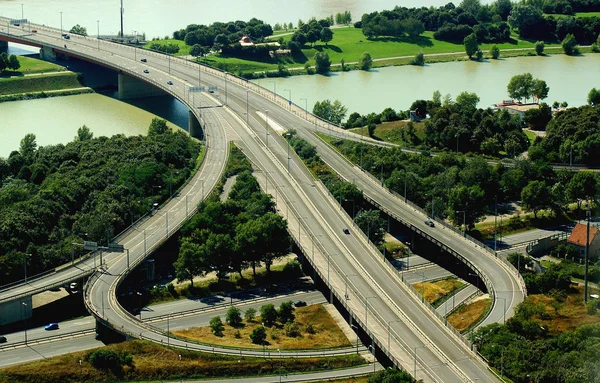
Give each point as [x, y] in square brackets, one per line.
[34, 352]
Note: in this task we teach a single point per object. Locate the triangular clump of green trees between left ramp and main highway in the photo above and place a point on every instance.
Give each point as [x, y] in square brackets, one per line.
[226, 237]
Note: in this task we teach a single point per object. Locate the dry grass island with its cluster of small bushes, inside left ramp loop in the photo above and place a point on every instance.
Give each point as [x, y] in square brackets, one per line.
[309, 327]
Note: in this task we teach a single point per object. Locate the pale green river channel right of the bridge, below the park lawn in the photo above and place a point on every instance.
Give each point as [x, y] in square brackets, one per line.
[569, 78]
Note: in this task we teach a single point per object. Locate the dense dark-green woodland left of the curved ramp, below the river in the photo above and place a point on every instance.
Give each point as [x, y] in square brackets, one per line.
[89, 189]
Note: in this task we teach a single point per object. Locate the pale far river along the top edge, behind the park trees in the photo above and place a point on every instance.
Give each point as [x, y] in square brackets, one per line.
[160, 18]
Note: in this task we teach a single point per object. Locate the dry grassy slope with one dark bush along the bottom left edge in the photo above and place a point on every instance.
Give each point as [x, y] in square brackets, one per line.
[145, 361]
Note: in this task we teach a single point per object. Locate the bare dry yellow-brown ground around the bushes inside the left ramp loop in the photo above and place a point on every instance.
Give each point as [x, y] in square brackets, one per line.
[327, 334]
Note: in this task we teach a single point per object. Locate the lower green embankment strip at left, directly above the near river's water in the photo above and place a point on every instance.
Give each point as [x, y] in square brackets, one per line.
[29, 84]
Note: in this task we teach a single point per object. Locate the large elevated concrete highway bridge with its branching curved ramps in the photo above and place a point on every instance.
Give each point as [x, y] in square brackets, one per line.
[369, 291]
